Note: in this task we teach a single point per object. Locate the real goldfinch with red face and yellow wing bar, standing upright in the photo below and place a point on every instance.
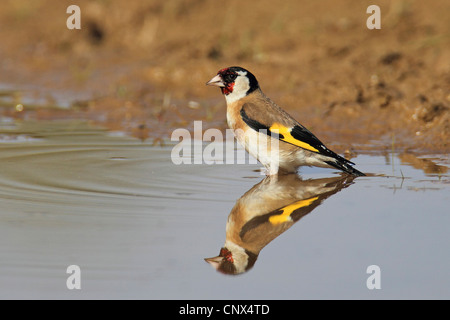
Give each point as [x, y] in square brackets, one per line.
[268, 132]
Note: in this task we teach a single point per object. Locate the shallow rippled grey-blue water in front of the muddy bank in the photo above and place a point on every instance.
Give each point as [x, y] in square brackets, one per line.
[139, 226]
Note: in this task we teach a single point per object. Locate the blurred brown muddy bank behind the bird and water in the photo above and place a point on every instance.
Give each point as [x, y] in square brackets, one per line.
[141, 66]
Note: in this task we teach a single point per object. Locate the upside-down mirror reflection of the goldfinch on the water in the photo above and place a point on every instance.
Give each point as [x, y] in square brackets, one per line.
[266, 211]
